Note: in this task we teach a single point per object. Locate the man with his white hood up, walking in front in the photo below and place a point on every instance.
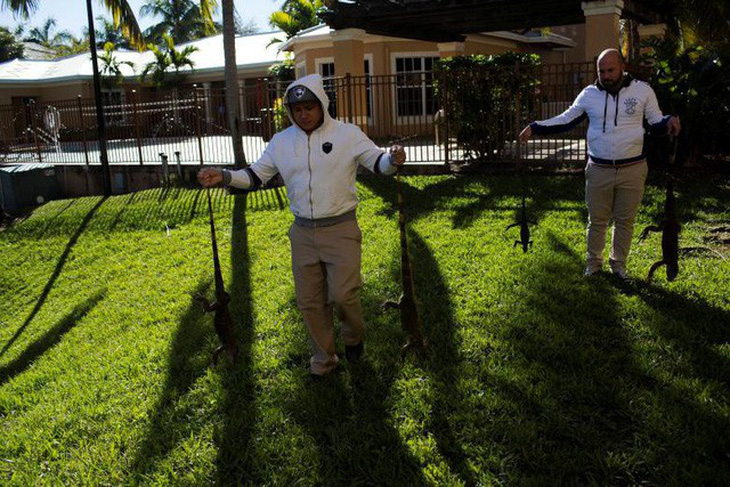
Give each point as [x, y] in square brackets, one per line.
[317, 158]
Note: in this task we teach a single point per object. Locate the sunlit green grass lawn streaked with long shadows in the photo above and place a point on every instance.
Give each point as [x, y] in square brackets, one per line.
[534, 375]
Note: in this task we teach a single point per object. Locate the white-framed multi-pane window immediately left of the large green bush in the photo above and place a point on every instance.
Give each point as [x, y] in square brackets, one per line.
[415, 95]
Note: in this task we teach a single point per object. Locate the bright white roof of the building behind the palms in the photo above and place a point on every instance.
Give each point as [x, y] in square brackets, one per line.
[251, 53]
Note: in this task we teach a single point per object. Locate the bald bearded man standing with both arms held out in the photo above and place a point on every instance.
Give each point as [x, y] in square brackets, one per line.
[616, 106]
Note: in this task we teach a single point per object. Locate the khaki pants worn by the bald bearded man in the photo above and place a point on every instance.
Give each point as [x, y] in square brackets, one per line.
[612, 193]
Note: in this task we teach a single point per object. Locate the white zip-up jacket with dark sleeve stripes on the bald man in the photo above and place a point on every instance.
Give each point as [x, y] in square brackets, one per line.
[615, 121]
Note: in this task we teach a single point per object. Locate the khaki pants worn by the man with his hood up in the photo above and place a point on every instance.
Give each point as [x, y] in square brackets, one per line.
[326, 267]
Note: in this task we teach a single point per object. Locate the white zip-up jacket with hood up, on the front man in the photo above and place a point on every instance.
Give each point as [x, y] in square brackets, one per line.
[318, 169]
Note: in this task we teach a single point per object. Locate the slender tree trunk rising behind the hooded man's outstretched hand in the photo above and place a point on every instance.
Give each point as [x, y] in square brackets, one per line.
[231, 75]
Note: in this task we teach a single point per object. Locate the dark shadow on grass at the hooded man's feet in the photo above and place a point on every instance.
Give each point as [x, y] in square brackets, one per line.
[349, 435]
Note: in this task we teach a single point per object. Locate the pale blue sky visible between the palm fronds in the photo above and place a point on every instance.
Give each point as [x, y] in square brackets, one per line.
[71, 14]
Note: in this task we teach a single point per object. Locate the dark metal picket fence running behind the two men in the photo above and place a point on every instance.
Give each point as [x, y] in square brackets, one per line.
[190, 125]
